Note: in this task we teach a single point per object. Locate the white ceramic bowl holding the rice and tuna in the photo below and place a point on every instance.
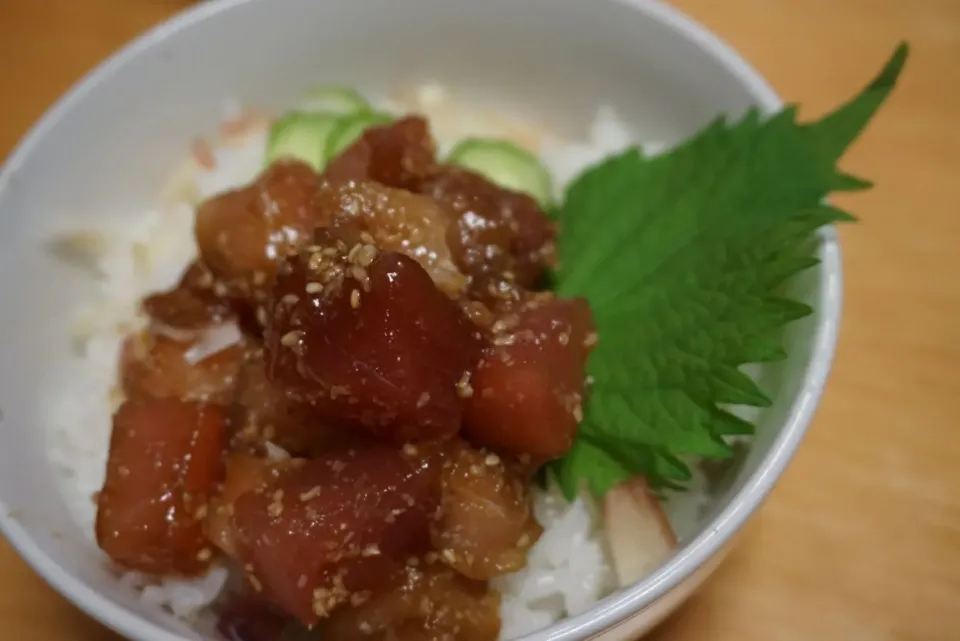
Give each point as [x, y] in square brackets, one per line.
[110, 142]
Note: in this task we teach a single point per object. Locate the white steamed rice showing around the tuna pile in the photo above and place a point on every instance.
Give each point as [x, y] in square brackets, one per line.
[568, 568]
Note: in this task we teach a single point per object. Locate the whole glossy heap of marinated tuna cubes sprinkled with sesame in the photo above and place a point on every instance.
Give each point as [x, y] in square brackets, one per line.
[347, 395]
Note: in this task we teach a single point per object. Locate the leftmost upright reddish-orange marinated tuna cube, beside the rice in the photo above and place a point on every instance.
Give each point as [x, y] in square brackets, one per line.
[164, 464]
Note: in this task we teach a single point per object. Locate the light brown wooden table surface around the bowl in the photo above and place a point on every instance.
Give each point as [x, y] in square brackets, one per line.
[861, 540]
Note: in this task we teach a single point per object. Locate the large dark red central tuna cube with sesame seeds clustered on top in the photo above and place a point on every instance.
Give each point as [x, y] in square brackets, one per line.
[367, 337]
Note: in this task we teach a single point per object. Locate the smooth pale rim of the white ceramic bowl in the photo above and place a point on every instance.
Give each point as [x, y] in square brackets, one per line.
[613, 609]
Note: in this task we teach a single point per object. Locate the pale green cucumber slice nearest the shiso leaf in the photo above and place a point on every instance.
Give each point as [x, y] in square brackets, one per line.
[507, 165]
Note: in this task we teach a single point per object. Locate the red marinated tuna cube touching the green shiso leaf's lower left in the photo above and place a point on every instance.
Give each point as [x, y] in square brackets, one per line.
[528, 390]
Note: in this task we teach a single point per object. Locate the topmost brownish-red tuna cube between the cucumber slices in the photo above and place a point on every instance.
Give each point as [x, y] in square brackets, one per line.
[398, 155]
